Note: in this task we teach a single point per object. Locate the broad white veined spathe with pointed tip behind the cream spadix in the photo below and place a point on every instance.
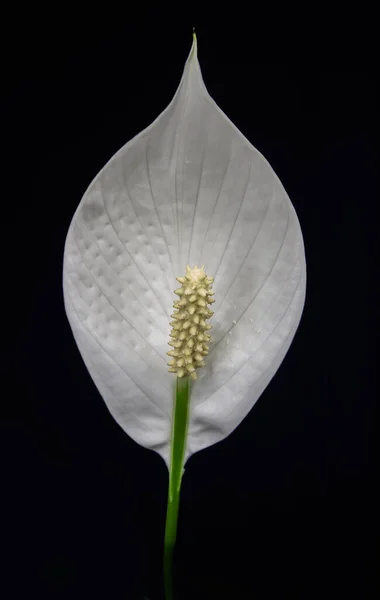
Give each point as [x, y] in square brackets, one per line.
[189, 189]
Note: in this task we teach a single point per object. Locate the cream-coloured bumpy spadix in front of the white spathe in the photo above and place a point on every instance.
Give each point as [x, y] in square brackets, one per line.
[189, 337]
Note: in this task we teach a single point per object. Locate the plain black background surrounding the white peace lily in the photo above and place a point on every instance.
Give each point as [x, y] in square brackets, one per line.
[285, 506]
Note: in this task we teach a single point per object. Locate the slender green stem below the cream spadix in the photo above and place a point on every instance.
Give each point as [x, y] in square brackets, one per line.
[178, 447]
